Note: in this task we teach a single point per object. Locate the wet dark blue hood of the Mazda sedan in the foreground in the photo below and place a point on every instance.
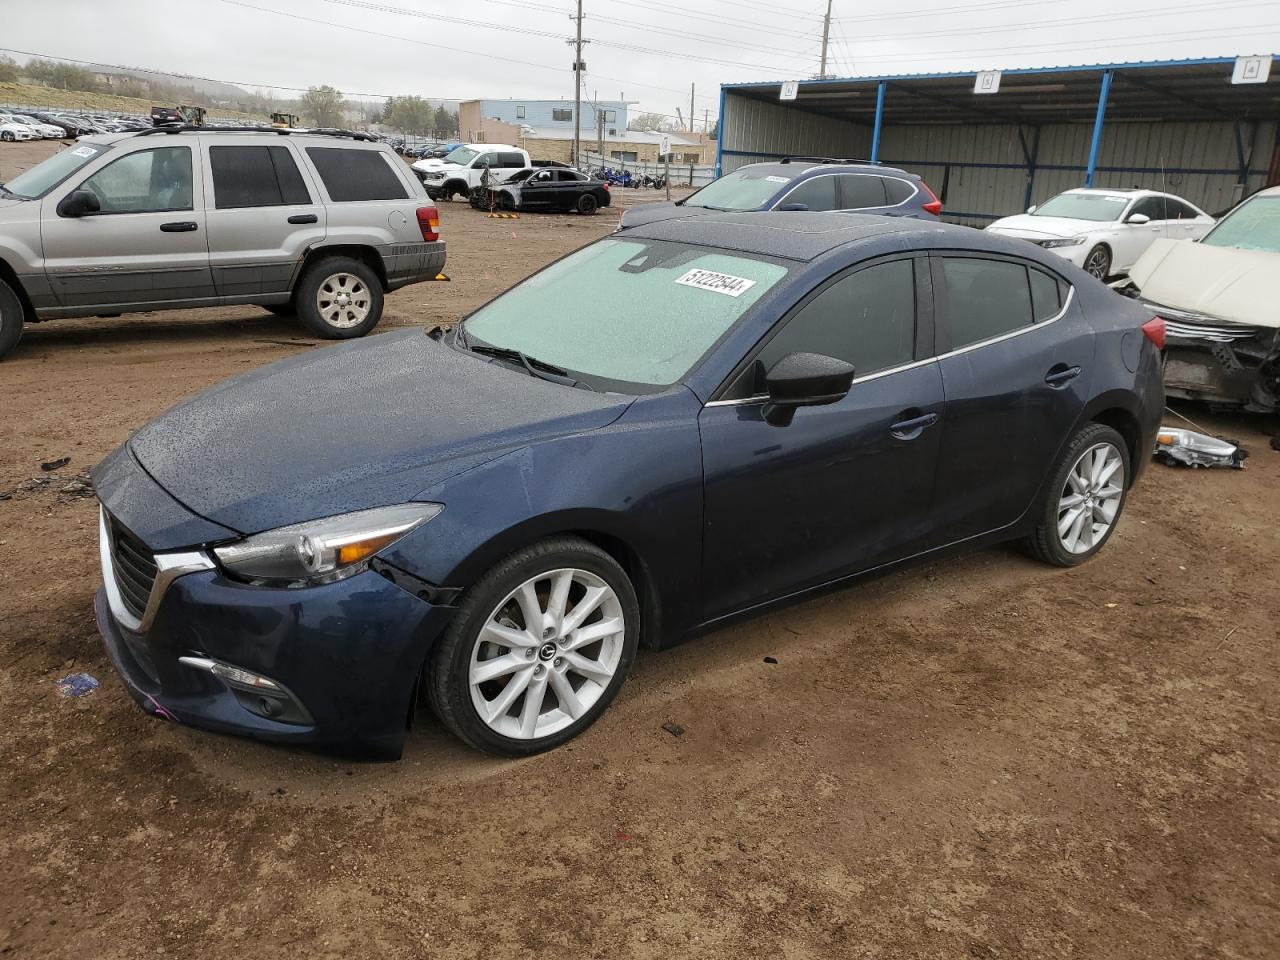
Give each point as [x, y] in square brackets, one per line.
[359, 426]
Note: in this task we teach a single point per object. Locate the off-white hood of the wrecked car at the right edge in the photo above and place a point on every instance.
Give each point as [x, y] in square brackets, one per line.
[1226, 284]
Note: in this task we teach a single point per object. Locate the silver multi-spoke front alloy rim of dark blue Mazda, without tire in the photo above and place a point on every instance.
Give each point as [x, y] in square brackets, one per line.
[547, 653]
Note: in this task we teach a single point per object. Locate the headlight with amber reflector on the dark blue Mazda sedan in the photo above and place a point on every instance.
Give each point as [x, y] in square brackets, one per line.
[322, 551]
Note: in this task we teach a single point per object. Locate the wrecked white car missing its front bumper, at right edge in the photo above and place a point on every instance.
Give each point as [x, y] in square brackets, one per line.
[1219, 299]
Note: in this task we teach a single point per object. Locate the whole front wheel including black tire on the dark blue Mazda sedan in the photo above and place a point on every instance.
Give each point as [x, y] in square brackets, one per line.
[543, 660]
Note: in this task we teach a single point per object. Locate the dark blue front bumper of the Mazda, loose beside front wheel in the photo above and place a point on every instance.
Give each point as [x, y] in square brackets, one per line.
[346, 655]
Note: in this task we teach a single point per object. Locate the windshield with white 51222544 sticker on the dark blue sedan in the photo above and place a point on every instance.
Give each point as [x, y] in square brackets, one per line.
[630, 313]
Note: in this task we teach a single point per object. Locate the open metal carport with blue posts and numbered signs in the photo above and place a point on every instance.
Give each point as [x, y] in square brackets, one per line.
[1181, 126]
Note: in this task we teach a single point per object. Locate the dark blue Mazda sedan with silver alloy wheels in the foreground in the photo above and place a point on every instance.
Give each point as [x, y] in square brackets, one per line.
[665, 431]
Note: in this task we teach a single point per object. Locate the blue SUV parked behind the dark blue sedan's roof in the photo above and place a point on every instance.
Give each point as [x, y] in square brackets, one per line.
[802, 185]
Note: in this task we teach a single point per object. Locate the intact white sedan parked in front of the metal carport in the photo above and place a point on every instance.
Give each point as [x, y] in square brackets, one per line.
[1107, 231]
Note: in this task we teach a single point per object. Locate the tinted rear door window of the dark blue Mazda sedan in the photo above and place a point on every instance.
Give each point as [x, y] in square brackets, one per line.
[984, 299]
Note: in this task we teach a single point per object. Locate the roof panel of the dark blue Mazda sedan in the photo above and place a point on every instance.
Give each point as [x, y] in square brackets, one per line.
[799, 236]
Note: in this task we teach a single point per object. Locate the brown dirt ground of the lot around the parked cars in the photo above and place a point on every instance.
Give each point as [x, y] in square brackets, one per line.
[980, 758]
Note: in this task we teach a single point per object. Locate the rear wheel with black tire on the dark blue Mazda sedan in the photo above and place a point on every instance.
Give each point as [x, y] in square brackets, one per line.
[1104, 500]
